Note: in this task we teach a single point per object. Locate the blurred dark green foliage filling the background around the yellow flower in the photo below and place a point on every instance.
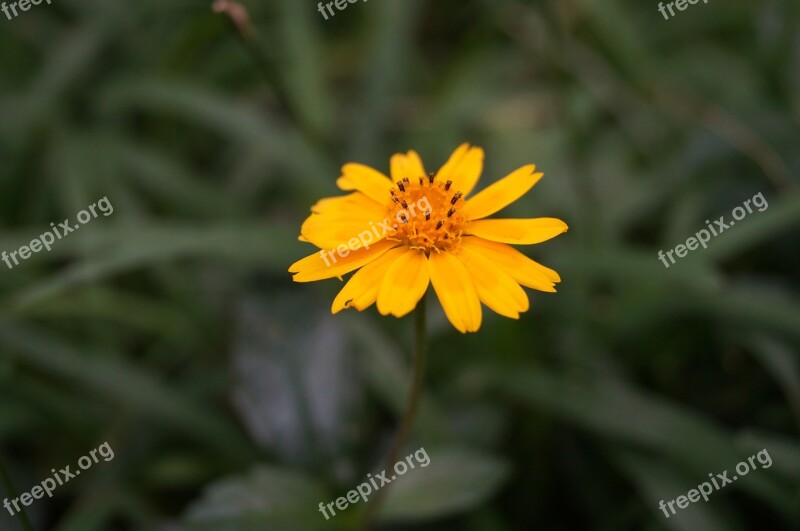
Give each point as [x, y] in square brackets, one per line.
[231, 397]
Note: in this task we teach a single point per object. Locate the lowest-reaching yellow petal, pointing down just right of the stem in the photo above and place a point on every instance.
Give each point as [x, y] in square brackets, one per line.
[456, 291]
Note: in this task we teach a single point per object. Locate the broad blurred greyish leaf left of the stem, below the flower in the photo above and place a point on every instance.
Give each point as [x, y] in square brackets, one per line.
[297, 384]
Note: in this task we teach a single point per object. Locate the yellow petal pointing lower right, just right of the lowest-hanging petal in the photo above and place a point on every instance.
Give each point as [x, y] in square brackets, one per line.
[496, 288]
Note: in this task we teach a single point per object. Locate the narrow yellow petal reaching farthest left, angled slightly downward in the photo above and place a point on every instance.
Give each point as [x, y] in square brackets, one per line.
[335, 263]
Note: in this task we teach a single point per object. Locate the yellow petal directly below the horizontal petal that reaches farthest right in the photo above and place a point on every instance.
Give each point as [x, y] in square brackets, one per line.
[527, 272]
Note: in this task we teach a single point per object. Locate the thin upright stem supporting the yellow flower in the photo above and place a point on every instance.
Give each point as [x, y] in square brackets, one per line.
[407, 424]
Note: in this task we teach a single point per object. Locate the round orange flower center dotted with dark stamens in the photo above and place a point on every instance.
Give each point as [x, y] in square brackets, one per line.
[427, 214]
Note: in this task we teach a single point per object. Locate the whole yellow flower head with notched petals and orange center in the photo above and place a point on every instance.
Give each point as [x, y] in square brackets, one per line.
[419, 228]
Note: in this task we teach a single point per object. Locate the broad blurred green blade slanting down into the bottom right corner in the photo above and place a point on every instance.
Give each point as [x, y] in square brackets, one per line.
[618, 412]
